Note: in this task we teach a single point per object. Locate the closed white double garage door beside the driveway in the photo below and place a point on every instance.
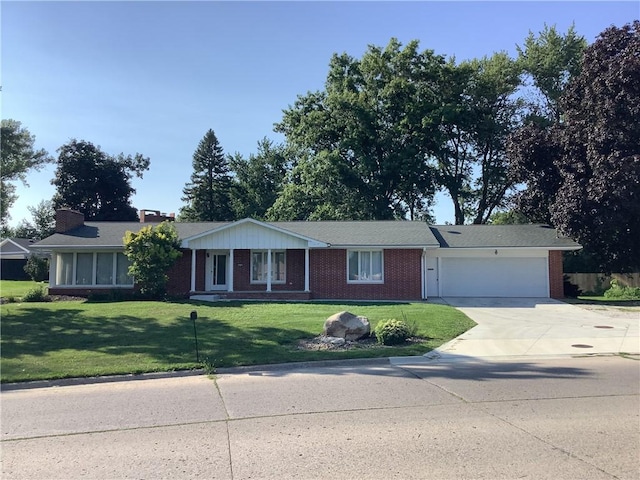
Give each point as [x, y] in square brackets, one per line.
[494, 277]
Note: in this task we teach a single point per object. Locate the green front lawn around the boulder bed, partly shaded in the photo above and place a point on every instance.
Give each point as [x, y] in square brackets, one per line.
[79, 339]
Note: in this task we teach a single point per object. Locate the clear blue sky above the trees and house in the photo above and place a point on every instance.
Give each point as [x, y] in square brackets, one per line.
[153, 77]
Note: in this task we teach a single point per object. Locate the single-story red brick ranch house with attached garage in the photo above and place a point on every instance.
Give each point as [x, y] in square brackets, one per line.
[357, 260]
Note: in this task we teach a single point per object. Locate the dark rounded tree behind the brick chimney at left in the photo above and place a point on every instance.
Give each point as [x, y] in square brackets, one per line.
[95, 183]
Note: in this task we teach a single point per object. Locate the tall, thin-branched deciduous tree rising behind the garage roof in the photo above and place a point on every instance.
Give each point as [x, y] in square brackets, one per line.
[479, 112]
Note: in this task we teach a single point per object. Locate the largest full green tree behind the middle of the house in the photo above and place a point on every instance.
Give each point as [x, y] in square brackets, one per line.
[370, 131]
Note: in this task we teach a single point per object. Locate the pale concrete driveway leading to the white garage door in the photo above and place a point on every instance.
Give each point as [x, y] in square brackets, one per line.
[540, 326]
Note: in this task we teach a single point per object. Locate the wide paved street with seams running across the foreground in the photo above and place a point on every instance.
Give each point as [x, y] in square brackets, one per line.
[561, 418]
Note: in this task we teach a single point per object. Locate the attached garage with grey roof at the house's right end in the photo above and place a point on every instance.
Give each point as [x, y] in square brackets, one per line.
[496, 261]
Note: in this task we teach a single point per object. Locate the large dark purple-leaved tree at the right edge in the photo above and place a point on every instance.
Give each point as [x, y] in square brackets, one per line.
[583, 173]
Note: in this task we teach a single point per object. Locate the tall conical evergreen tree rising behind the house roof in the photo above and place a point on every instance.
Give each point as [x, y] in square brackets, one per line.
[208, 194]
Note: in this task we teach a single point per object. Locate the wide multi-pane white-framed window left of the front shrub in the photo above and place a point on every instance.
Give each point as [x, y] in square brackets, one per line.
[100, 269]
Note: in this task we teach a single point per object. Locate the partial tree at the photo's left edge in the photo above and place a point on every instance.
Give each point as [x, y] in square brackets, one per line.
[17, 157]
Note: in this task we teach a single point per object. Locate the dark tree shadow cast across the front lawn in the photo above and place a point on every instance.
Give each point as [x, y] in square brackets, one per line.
[30, 332]
